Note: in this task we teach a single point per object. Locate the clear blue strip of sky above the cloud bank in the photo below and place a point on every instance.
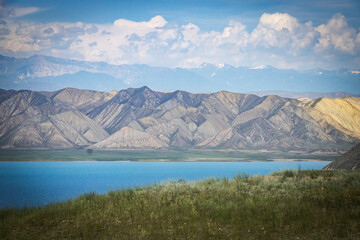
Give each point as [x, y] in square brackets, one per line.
[208, 14]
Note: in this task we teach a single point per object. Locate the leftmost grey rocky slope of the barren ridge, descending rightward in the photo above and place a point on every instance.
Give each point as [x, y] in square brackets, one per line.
[34, 120]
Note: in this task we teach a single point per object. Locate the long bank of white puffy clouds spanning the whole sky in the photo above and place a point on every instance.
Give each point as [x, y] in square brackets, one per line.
[279, 39]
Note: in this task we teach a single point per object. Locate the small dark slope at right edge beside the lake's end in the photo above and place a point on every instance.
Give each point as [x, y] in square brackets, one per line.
[349, 160]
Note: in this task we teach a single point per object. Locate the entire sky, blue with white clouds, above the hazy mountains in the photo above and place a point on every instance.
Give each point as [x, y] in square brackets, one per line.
[283, 33]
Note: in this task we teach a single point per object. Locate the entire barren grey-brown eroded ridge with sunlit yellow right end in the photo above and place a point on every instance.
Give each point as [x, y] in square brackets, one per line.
[140, 118]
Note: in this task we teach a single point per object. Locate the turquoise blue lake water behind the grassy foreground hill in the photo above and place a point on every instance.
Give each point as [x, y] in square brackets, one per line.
[40, 183]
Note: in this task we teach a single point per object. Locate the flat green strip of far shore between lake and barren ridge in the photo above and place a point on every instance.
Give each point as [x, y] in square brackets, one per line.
[162, 156]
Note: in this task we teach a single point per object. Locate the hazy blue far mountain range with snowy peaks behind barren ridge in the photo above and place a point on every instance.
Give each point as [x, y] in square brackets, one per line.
[48, 73]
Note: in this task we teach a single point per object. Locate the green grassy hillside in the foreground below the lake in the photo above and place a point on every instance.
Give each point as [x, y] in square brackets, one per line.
[285, 205]
